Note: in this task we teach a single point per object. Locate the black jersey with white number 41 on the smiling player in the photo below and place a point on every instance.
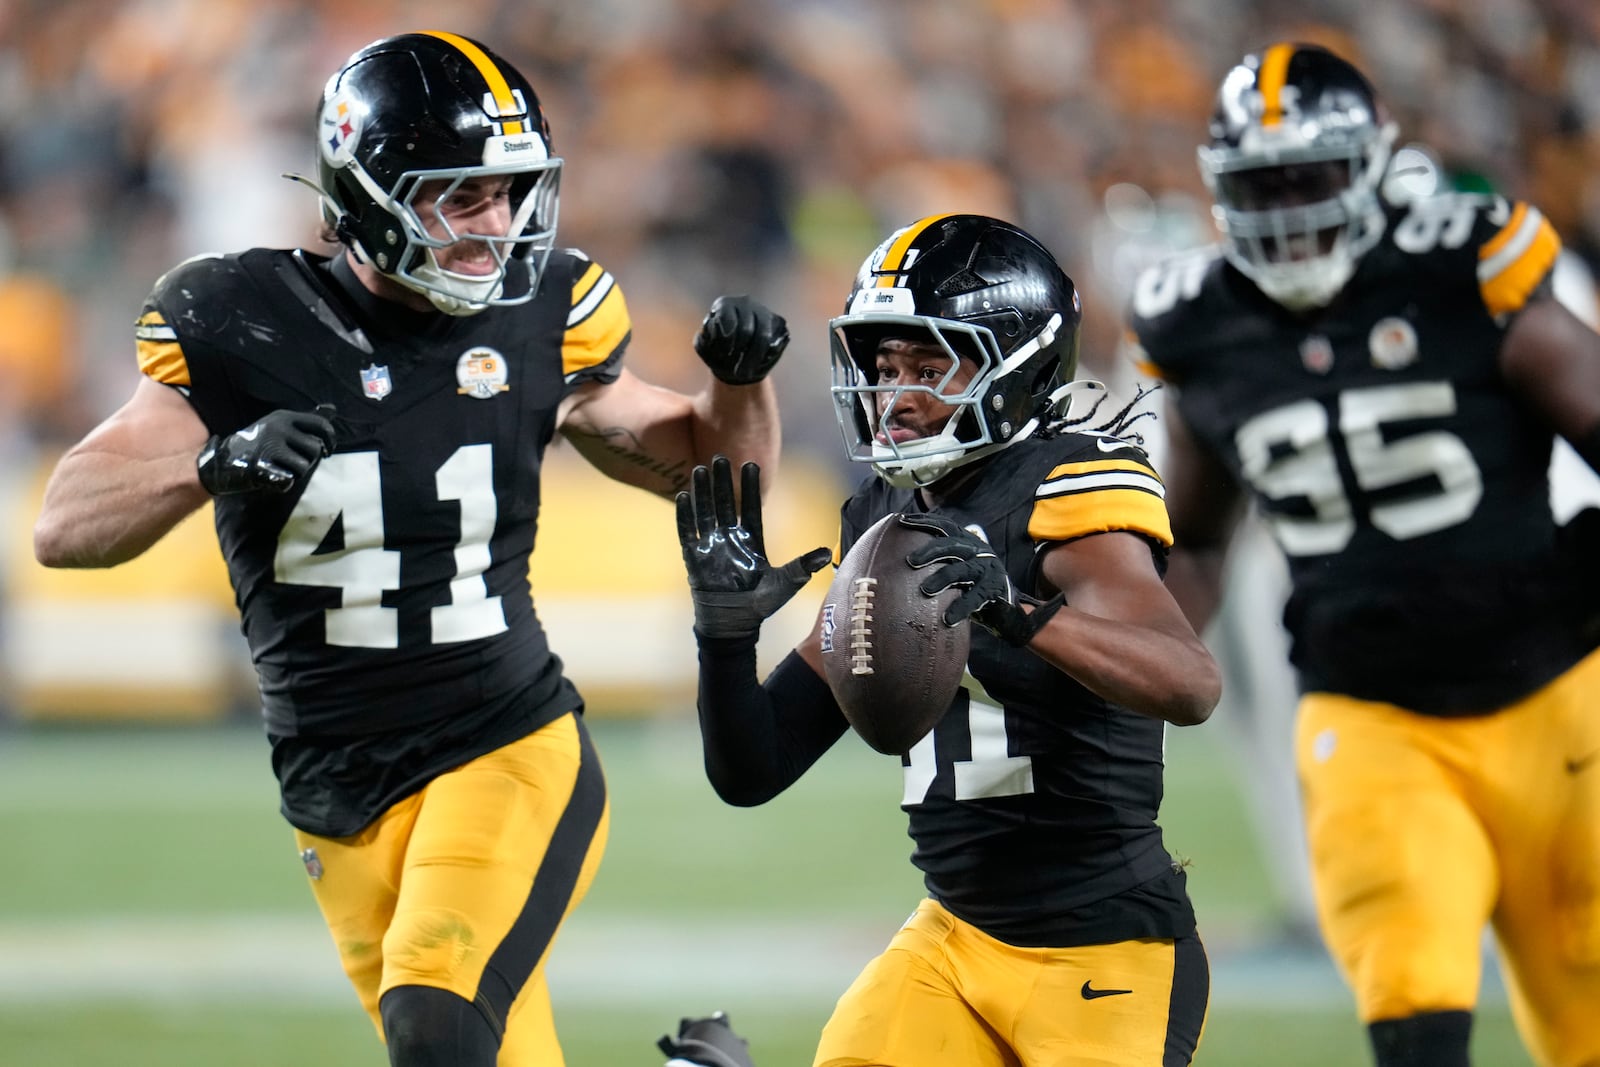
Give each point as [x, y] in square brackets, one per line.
[388, 601]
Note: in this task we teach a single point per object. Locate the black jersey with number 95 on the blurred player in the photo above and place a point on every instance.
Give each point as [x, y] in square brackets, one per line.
[1399, 474]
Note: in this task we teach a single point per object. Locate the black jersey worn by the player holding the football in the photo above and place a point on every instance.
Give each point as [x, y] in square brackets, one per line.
[1033, 804]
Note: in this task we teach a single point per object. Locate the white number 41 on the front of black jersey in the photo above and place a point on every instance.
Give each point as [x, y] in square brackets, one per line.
[346, 489]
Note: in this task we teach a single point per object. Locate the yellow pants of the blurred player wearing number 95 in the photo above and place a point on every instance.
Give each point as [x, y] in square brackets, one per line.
[1425, 829]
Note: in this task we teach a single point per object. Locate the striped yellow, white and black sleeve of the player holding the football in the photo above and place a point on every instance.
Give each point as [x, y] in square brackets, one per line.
[1111, 487]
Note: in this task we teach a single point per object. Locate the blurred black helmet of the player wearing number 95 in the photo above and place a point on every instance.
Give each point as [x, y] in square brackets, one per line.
[1298, 153]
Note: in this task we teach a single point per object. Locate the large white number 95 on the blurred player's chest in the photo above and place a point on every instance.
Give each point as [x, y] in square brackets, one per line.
[1289, 454]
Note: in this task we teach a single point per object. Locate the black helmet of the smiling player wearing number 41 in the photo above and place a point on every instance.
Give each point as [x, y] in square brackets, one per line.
[425, 108]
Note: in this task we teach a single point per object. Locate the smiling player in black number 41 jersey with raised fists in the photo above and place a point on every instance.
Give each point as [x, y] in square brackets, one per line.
[370, 431]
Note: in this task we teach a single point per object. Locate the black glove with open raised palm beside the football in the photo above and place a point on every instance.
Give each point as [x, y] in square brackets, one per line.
[730, 580]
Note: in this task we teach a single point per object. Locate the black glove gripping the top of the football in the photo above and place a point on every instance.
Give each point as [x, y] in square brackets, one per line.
[970, 562]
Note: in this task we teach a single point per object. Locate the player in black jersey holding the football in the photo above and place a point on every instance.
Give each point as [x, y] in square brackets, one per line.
[1057, 927]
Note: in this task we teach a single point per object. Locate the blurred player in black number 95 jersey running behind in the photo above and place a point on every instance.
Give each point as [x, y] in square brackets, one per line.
[1385, 383]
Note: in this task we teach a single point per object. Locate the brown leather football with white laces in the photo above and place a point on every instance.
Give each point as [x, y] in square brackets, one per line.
[889, 657]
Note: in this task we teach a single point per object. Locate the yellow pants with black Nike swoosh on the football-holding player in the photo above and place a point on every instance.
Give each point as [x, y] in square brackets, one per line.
[945, 993]
